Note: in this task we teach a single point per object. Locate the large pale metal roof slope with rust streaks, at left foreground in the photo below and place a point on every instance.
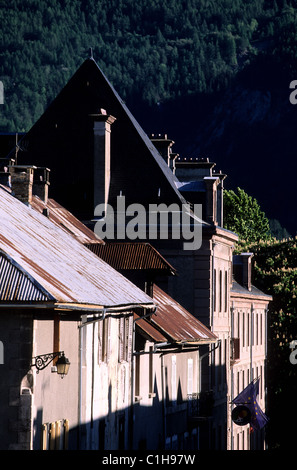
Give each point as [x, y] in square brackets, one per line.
[66, 270]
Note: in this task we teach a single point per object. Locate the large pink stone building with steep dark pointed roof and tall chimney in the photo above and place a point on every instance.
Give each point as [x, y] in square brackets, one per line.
[98, 154]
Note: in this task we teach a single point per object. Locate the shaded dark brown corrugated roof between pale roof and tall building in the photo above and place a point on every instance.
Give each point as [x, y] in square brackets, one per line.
[132, 256]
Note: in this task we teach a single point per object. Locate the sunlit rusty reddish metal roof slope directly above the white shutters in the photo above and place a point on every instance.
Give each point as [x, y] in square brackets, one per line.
[177, 323]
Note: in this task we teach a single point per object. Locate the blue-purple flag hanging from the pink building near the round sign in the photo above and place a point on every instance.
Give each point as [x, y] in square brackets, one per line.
[248, 398]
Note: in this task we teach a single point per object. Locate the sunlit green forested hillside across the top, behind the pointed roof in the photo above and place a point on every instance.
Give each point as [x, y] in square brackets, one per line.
[153, 51]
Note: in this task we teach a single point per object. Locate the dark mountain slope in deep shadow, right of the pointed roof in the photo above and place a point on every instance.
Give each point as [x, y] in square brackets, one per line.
[249, 130]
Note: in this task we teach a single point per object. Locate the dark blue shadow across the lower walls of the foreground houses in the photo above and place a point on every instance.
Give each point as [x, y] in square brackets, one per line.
[163, 425]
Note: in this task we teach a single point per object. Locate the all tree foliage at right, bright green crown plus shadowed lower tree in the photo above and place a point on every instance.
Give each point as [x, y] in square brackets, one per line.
[275, 273]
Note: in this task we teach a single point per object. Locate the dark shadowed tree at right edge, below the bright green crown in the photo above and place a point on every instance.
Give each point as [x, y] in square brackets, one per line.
[275, 272]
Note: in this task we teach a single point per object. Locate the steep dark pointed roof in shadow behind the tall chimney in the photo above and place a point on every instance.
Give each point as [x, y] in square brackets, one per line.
[62, 139]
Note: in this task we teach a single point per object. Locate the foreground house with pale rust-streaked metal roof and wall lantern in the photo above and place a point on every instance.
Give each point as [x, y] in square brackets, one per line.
[55, 295]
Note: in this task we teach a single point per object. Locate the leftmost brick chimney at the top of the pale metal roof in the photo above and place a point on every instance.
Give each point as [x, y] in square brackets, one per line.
[22, 182]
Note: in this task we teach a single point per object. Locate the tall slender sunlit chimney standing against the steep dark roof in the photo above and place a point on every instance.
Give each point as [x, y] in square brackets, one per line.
[102, 131]
